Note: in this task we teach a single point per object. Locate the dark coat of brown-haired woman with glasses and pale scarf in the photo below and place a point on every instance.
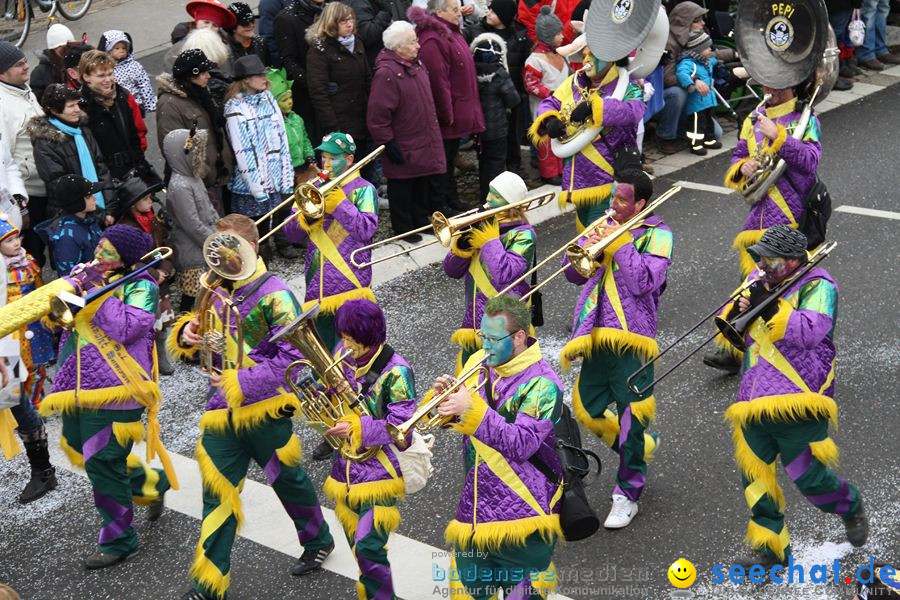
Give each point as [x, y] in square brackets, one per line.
[339, 83]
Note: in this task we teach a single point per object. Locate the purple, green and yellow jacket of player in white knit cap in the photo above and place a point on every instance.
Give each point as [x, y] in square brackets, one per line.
[497, 255]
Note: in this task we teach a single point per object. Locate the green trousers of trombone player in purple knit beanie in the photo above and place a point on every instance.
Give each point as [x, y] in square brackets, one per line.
[101, 440]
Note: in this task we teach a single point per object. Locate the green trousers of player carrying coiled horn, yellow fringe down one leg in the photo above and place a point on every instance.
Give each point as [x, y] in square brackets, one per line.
[224, 458]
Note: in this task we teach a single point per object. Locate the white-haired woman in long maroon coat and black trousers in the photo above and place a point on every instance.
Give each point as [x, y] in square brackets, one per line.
[402, 116]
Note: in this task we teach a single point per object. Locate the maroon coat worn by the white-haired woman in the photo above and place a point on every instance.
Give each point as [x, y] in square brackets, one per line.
[401, 108]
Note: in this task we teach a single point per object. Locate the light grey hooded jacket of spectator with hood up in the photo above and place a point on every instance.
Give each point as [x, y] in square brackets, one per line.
[187, 201]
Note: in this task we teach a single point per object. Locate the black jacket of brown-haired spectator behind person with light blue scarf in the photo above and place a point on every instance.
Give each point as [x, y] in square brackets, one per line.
[116, 133]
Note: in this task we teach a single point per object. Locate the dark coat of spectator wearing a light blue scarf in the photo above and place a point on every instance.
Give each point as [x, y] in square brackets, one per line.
[55, 155]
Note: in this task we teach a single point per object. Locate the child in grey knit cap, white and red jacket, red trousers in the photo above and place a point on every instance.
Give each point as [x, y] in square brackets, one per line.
[545, 70]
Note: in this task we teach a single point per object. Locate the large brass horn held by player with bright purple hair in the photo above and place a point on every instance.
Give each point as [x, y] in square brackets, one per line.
[322, 408]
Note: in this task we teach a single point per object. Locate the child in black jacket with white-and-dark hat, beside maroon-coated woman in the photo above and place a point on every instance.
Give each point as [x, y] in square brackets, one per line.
[498, 95]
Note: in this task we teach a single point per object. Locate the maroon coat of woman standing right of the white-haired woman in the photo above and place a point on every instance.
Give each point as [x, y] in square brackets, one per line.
[451, 70]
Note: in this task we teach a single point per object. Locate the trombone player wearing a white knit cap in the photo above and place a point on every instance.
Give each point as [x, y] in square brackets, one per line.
[490, 257]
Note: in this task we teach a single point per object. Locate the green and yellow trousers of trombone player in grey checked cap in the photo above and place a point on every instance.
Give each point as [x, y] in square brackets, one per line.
[805, 450]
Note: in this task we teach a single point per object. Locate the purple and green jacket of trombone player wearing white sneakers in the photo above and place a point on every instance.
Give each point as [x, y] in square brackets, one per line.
[639, 260]
